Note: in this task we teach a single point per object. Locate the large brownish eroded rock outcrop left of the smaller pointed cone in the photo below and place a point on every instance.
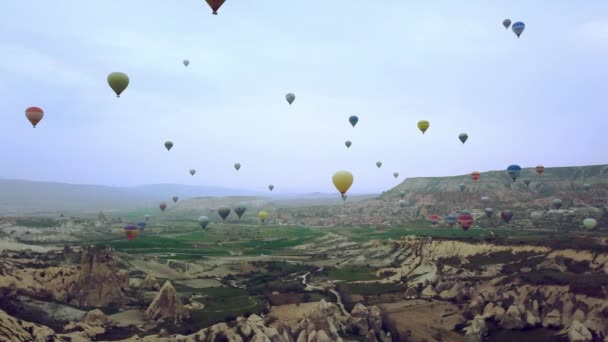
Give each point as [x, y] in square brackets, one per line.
[99, 283]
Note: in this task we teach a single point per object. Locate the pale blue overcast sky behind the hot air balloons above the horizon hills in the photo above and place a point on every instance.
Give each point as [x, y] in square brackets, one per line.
[540, 99]
